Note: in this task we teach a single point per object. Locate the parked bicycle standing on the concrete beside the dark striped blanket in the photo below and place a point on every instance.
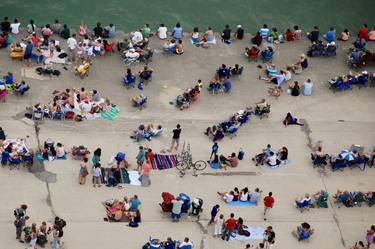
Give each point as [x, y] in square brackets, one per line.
[185, 162]
